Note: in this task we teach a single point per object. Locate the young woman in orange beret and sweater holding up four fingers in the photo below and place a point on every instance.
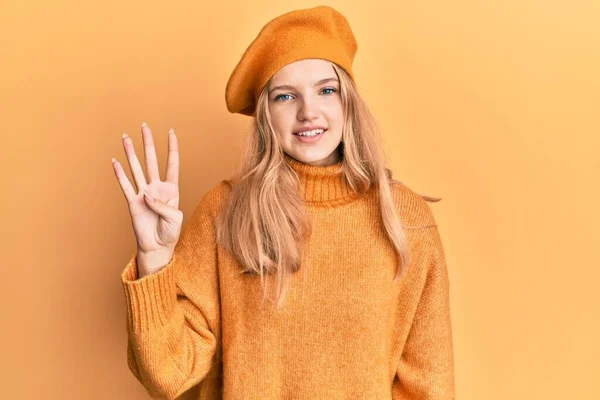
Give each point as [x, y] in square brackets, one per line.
[350, 260]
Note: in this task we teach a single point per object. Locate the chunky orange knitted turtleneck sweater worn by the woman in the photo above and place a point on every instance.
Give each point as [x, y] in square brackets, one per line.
[344, 330]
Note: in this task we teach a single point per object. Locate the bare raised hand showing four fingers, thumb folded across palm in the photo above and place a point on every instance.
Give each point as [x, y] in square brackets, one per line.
[154, 209]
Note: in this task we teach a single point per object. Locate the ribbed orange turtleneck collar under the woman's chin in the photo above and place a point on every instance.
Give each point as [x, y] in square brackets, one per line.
[322, 186]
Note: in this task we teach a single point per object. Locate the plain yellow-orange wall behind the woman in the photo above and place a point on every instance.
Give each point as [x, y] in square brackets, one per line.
[492, 105]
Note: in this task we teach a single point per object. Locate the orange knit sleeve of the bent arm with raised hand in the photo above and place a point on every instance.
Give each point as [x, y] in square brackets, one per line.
[173, 316]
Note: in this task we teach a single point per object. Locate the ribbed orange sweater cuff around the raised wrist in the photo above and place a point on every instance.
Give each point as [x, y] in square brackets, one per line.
[150, 300]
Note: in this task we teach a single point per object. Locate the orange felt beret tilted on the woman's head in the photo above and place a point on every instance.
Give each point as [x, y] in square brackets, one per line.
[318, 32]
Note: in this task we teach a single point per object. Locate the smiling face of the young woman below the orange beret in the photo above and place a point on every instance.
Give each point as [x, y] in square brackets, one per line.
[305, 95]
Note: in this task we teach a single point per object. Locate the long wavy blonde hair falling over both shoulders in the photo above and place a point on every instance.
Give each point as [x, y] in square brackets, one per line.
[264, 223]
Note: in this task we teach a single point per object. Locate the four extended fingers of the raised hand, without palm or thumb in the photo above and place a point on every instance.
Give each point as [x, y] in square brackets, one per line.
[172, 174]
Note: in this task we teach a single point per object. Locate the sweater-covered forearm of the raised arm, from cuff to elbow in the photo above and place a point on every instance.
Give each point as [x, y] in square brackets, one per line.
[166, 354]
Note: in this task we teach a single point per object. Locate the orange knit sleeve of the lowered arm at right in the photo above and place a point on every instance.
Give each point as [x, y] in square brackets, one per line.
[426, 367]
